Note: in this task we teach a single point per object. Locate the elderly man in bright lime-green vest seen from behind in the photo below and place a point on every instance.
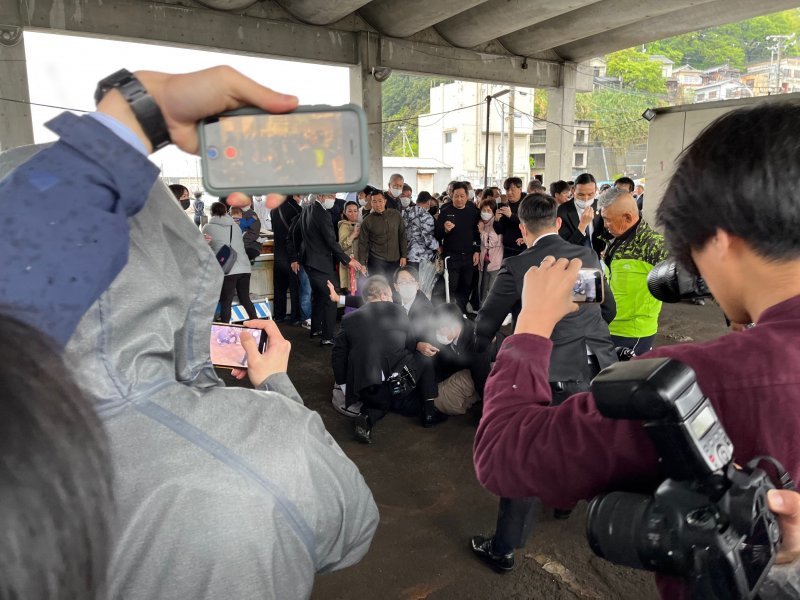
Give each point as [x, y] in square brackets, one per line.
[631, 255]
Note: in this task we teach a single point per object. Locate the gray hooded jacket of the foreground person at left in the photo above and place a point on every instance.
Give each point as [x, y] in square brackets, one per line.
[221, 492]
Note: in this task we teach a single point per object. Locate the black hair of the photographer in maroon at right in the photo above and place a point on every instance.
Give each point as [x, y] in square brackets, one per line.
[760, 205]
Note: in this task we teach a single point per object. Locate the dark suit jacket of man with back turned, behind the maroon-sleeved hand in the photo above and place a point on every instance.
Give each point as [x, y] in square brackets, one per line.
[572, 334]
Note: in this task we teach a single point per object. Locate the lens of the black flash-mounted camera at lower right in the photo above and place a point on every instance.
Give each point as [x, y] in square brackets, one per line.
[613, 527]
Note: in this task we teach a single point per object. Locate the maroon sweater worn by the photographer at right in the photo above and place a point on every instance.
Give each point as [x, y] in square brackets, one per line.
[570, 452]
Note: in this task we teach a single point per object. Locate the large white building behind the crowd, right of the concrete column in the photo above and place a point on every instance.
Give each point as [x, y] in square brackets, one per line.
[454, 131]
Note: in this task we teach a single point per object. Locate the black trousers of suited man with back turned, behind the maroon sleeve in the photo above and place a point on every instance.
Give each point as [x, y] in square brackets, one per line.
[516, 517]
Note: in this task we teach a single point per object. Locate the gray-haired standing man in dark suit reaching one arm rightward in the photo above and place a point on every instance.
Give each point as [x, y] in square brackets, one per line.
[319, 250]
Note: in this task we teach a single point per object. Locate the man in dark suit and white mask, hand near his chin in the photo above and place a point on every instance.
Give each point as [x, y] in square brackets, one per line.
[581, 224]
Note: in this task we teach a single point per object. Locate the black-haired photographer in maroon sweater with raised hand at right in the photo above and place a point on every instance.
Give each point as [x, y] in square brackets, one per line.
[743, 236]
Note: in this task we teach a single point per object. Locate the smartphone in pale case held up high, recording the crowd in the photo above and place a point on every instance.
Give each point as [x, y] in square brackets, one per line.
[314, 149]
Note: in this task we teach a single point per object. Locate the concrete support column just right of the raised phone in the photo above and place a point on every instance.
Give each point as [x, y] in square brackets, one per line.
[366, 91]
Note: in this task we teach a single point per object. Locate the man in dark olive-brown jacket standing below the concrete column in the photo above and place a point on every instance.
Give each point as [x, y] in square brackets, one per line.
[382, 244]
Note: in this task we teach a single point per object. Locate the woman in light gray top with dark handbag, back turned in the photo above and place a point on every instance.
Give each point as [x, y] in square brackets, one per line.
[226, 242]
